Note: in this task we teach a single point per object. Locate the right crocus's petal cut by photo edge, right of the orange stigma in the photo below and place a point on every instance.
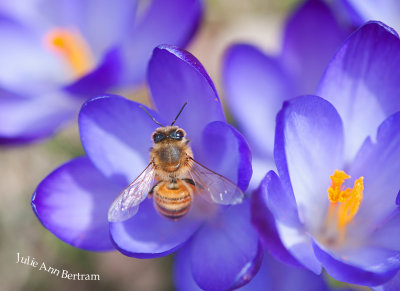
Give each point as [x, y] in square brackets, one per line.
[378, 164]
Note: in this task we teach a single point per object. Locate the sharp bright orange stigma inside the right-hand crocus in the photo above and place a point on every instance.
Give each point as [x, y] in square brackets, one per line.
[345, 202]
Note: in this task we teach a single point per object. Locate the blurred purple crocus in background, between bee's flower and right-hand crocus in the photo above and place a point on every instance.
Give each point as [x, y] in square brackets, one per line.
[256, 84]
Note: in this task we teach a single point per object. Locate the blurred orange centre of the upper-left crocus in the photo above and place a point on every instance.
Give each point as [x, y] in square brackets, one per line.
[72, 47]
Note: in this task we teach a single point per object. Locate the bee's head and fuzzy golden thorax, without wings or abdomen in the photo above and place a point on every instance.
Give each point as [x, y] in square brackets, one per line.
[170, 153]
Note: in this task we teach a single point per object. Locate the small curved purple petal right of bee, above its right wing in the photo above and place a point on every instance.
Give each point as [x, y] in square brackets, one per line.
[226, 152]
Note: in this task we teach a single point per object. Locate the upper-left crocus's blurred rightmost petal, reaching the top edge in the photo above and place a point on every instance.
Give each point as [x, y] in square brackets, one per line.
[173, 22]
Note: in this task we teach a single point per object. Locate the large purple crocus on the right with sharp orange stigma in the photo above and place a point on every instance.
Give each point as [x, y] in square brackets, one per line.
[335, 201]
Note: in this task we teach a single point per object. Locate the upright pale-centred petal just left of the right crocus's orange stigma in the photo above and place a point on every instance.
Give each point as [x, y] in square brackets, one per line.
[308, 148]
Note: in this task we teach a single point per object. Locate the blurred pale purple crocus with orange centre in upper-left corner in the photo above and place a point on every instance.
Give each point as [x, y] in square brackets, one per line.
[57, 54]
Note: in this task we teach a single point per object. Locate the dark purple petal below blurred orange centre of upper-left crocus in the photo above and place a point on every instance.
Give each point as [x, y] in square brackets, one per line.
[100, 80]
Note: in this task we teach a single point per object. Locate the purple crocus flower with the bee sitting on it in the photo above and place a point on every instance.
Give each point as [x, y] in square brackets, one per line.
[72, 202]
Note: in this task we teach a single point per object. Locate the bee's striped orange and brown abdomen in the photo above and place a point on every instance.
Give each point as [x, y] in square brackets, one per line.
[172, 199]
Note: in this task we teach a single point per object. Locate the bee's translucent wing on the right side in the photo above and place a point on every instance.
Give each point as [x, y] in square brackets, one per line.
[214, 187]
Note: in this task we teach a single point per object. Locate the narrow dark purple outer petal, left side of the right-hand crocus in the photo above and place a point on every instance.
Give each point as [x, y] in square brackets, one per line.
[264, 222]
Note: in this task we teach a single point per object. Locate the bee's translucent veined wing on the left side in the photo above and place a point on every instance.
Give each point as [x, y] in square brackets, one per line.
[127, 203]
